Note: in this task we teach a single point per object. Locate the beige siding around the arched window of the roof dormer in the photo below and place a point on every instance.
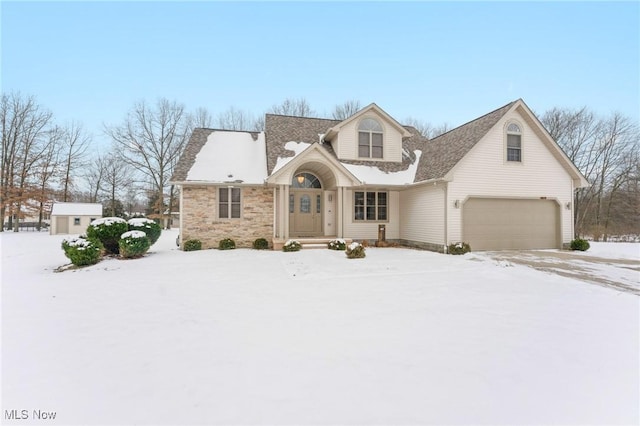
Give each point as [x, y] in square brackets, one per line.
[347, 146]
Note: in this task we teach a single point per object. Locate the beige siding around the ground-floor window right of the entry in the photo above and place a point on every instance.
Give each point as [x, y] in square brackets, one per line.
[368, 230]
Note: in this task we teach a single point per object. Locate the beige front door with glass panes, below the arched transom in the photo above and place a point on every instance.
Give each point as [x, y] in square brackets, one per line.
[305, 212]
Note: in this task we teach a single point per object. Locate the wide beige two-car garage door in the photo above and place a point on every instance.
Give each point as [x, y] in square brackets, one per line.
[507, 224]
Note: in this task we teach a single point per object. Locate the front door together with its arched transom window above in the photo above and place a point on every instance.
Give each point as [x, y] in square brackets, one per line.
[305, 205]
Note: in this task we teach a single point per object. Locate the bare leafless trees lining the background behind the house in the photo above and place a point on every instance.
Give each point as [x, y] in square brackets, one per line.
[44, 161]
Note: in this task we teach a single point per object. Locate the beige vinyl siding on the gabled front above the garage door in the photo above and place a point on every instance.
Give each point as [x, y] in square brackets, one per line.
[485, 173]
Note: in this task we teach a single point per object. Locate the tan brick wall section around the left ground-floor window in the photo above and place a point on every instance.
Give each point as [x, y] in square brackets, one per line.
[200, 216]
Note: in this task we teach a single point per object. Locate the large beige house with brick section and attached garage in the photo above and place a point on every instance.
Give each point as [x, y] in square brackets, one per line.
[497, 182]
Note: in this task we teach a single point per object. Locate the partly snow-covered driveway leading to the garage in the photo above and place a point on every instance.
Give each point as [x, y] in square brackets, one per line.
[617, 266]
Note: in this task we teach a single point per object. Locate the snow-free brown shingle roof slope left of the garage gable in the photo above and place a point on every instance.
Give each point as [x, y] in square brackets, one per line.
[445, 151]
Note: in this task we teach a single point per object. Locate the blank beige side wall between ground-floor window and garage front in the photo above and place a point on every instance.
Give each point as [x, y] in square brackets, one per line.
[422, 214]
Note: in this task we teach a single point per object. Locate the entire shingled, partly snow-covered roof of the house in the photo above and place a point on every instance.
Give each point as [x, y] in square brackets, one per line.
[245, 154]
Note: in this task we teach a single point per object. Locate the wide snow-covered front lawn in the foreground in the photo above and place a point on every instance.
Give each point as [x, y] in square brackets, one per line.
[260, 337]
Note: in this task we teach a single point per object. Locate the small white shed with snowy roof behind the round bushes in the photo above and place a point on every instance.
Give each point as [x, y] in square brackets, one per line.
[73, 218]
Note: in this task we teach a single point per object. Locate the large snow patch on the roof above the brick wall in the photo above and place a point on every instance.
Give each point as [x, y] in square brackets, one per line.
[230, 156]
